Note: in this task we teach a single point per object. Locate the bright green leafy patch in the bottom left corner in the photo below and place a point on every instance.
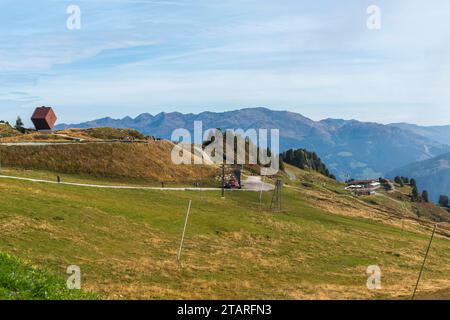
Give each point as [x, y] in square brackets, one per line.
[21, 282]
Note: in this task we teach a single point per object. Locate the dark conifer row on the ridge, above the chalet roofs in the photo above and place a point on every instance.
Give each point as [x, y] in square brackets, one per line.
[305, 159]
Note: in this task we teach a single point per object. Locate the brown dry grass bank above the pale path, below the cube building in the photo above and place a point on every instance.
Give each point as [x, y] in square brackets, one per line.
[120, 161]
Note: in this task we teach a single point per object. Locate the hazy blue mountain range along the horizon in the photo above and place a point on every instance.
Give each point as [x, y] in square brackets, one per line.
[350, 148]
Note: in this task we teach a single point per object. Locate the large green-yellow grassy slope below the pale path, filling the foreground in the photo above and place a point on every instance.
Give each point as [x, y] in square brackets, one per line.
[319, 246]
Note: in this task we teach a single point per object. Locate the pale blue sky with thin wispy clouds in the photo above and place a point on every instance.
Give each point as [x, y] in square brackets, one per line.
[317, 58]
